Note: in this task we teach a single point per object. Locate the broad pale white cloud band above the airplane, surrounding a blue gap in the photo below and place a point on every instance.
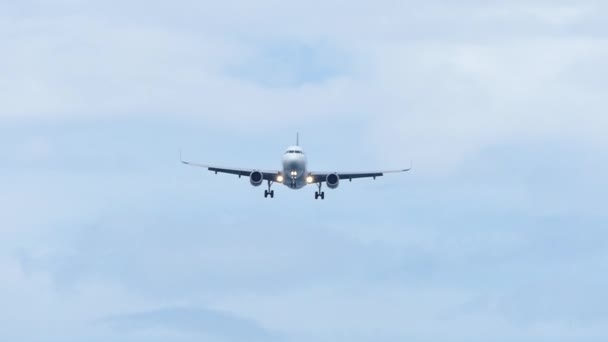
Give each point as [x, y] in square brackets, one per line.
[410, 71]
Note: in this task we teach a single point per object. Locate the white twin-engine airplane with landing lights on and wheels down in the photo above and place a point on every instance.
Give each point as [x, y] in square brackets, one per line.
[295, 174]
